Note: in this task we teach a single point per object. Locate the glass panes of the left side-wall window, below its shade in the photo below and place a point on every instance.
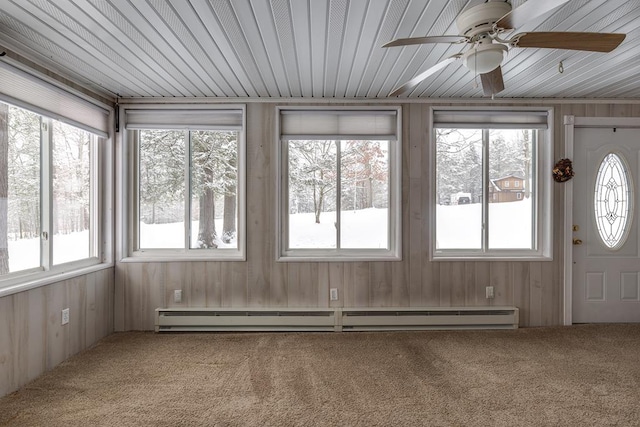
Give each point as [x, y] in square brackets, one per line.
[49, 188]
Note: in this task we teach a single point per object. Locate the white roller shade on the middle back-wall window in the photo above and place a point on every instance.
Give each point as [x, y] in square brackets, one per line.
[339, 124]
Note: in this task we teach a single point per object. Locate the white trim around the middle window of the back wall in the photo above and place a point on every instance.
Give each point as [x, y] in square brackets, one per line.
[395, 200]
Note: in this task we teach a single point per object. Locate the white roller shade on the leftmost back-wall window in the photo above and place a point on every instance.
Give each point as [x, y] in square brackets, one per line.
[197, 119]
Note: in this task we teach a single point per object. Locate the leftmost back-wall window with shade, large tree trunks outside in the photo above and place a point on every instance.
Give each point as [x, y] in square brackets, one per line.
[187, 195]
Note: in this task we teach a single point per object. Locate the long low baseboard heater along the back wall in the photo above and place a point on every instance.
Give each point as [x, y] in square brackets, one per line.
[338, 319]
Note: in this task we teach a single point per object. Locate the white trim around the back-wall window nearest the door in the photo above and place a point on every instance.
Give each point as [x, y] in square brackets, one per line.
[544, 205]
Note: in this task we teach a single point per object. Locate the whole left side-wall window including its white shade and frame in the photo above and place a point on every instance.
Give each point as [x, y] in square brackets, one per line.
[54, 178]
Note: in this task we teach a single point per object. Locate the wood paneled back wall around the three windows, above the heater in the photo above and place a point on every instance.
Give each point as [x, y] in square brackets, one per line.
[534, 287]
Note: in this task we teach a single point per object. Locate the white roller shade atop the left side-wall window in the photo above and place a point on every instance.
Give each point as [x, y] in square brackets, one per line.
[31, 93]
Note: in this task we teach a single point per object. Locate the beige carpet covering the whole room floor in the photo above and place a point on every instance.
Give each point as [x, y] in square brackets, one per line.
[572, 376]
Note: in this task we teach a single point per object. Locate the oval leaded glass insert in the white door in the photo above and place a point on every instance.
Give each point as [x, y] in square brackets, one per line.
[612, 201]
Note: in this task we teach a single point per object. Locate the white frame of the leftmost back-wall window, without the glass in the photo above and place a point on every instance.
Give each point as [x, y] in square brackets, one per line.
[127, 247]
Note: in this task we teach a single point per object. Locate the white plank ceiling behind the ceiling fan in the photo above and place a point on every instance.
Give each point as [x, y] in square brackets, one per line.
[305, 48]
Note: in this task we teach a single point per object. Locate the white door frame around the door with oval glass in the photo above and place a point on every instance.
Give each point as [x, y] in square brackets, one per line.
[570, 123]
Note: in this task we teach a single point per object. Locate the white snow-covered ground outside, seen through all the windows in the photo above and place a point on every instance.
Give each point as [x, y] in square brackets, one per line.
[458, 226]
